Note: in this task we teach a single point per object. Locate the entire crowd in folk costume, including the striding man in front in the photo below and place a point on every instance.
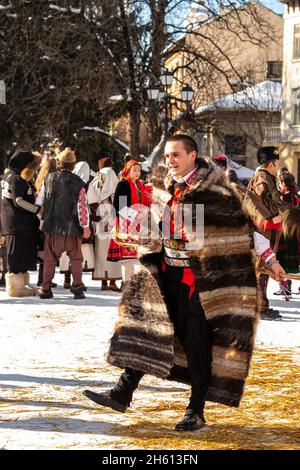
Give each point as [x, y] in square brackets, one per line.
[190, 303]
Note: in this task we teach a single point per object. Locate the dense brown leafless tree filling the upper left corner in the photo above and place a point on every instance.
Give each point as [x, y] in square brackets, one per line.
[56, 69]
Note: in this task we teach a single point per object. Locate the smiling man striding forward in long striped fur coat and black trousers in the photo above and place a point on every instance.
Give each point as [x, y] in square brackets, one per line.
[189, 314]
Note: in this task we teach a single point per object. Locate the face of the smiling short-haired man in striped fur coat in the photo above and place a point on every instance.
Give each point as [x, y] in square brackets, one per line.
[178, 161]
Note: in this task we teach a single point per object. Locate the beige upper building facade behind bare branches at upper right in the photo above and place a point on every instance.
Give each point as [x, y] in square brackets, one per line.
[225, 54]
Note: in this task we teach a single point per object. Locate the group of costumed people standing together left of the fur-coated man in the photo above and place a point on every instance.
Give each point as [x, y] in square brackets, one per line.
[55, 213]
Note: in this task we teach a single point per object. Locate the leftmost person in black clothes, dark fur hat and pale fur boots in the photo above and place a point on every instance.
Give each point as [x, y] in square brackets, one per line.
[19, 222]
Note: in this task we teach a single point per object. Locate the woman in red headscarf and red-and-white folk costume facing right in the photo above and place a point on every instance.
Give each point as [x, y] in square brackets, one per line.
[130, 195]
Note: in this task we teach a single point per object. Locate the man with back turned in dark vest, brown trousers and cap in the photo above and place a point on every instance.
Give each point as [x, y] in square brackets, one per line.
[66, 221]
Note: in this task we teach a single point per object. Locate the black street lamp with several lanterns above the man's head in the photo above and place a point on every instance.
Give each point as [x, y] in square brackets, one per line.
[161, 94]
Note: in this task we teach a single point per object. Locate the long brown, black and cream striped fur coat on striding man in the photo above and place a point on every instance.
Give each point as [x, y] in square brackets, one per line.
[225, 278]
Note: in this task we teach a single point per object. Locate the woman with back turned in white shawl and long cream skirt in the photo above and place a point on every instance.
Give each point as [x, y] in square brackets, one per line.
[100, 196]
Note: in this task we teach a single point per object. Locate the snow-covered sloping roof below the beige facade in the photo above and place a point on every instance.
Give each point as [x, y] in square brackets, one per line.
[265, 96]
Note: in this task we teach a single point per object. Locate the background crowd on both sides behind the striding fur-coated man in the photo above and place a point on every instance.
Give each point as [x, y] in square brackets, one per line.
[55, 213]
